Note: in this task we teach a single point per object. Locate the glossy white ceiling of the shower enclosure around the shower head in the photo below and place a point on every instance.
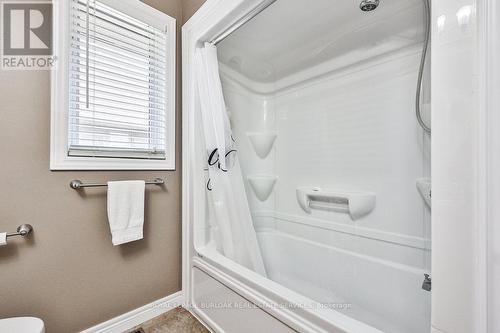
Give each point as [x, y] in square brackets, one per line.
[291, 36]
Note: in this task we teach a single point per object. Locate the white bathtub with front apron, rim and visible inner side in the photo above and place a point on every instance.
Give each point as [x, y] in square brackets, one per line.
[350, 293]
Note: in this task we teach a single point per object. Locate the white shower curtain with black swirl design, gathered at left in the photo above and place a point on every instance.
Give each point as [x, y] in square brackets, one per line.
[232, 224]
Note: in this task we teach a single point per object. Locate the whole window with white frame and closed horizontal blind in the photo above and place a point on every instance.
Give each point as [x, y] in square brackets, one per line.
[113, 88]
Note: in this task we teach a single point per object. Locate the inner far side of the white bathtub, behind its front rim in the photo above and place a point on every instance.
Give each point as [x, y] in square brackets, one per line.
[383, 294]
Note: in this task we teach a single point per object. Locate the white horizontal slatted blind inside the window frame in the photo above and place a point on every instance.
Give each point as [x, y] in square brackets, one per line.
[117, 84]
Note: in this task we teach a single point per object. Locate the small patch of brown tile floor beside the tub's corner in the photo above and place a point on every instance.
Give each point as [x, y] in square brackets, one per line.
[178, 320]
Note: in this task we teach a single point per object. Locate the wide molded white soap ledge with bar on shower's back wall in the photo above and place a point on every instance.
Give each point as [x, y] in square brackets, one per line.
[356, 204]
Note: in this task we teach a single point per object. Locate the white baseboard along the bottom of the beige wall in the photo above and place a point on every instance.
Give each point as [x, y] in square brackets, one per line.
[136, 317]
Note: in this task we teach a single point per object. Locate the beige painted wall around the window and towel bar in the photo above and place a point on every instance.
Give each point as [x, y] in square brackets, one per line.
[68, 273]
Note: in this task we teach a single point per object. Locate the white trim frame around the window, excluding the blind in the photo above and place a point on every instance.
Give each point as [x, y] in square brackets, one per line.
[59, 158]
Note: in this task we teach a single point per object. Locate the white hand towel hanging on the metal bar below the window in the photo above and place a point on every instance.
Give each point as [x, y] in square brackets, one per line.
[126, 210]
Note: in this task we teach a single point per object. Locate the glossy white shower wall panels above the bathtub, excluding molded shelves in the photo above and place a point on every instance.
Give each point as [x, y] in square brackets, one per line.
[352, 130]
